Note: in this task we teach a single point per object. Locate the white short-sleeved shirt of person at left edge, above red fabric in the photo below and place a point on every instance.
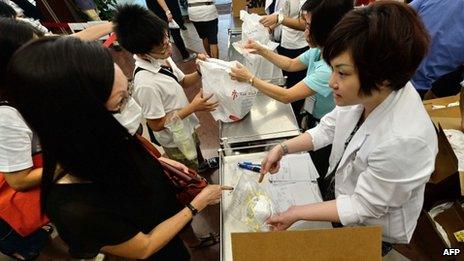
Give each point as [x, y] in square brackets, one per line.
[17, 141]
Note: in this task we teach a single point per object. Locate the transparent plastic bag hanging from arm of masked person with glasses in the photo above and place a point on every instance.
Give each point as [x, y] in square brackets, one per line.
[181, 135]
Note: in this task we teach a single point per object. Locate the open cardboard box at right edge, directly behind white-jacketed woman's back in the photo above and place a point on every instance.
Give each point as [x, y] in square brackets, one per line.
[446, 163]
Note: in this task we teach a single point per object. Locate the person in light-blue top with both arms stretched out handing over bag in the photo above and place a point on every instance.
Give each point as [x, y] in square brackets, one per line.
[320, 16]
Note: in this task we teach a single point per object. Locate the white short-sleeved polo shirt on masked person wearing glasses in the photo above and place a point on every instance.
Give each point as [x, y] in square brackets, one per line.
[159, 94]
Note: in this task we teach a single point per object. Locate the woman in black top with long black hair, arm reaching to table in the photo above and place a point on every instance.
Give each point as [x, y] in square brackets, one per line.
[100, 187]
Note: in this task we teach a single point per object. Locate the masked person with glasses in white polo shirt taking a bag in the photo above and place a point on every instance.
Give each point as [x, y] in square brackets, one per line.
[159, 84]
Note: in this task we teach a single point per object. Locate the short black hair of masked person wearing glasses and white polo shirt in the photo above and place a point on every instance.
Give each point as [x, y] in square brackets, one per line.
[138, 29]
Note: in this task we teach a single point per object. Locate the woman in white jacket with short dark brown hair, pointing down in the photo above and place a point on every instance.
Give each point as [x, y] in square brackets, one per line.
[384, 144]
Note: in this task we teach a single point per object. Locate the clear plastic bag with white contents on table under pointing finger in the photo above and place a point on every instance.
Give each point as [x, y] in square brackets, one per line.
[251, 204]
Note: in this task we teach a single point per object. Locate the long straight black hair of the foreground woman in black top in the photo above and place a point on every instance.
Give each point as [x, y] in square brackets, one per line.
[60, 85]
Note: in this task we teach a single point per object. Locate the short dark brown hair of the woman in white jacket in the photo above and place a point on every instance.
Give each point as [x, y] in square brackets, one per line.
[386, 40]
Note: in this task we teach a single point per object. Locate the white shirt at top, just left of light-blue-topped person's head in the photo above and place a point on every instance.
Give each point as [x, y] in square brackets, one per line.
[291, 38]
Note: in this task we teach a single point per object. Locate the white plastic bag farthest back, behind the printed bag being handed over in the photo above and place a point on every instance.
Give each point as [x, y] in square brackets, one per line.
[254, 30]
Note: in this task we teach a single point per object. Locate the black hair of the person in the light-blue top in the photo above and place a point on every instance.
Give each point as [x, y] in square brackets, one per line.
[325, 14]
